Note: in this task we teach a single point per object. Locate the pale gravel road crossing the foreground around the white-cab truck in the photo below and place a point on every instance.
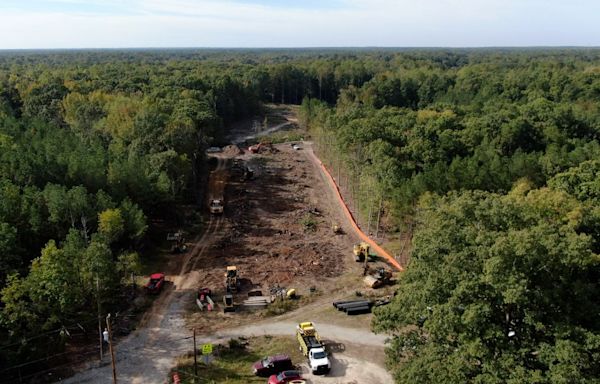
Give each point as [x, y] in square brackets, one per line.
[147, 355]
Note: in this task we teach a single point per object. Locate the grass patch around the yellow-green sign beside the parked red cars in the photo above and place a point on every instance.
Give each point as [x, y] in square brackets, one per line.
[232, 362]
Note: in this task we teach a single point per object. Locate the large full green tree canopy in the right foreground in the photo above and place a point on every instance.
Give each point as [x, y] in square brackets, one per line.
[500, 289]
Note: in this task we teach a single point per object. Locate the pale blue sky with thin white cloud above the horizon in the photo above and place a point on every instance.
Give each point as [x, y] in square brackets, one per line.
[30, 24]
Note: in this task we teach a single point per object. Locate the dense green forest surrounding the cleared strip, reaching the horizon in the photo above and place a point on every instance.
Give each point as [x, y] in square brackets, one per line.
[493, 154]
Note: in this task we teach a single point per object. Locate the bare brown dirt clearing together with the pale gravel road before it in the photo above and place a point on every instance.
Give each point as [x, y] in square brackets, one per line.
[260, 232]
